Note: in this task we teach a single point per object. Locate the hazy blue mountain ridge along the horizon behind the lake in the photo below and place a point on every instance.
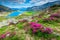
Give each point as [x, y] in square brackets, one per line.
[31, 8]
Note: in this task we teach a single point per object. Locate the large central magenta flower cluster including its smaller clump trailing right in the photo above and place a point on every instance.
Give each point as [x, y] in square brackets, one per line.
[38, 27]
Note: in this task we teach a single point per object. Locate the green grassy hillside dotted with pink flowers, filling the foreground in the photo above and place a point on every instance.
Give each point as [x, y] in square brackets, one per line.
[23, 31]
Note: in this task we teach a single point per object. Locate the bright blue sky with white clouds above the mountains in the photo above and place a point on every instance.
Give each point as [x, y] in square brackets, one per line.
[23, 3]
